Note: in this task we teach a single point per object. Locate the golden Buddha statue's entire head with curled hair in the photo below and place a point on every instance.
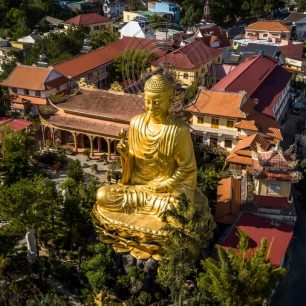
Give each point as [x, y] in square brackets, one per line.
[158, 94]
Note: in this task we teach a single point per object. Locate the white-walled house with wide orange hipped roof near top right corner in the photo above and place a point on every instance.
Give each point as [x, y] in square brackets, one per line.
[268, 30]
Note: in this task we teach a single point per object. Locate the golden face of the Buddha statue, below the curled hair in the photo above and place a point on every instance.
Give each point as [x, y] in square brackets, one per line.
[157, 104]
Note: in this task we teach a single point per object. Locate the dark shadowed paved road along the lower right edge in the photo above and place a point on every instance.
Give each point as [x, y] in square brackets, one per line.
[293, 288]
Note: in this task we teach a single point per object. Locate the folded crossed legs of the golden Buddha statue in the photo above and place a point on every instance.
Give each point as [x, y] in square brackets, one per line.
[133, 199]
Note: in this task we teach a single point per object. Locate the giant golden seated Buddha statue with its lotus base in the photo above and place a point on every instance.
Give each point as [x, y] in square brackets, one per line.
[158, 164]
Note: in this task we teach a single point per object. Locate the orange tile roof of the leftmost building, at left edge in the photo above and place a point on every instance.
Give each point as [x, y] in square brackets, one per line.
[27, 77]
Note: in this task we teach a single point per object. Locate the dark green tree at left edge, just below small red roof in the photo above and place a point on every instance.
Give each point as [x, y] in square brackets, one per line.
[17, 148]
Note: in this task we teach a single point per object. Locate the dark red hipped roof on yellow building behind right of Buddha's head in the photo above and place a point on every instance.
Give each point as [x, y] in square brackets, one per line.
[191, 56]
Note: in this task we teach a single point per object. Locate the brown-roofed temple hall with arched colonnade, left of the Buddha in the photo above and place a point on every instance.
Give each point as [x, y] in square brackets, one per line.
[90, 119]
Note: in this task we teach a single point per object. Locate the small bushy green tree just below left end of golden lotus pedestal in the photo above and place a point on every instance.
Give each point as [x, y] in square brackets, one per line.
[99, 267]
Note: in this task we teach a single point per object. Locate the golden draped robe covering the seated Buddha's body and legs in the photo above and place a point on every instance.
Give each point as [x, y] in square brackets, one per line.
[165, 157]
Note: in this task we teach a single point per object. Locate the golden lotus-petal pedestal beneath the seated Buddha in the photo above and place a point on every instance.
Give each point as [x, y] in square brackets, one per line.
[139, 235]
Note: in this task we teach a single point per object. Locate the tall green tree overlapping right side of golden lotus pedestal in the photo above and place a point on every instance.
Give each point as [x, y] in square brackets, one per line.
[188, 232]
